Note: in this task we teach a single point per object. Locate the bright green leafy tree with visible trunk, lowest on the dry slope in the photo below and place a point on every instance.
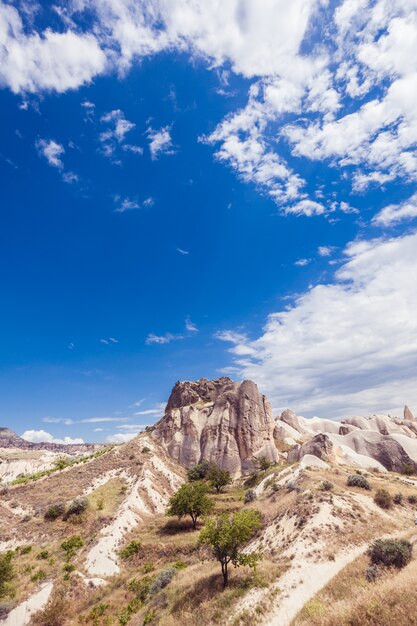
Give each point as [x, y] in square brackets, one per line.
[226, 535]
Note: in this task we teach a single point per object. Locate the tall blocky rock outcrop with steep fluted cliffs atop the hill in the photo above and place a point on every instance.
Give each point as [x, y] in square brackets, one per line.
[221, 421]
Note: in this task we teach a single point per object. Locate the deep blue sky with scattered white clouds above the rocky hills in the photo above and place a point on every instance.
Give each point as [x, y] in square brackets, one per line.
[190, 190]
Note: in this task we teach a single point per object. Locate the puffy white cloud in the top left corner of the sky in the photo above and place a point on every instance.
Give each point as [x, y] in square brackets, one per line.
[52, 61]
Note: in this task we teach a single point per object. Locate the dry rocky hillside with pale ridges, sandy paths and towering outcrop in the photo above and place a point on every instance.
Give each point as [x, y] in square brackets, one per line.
[91, 543]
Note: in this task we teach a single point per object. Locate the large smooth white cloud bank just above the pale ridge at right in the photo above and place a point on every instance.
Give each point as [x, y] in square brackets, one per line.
[346, 347]
